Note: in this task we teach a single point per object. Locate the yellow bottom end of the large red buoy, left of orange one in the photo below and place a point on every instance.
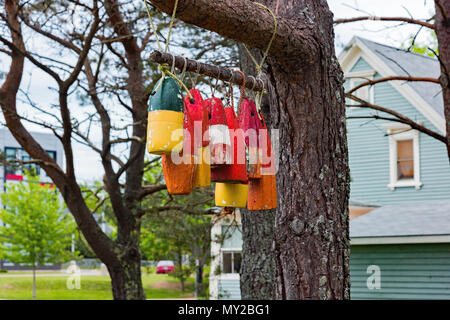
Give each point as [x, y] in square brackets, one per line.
[231, 195]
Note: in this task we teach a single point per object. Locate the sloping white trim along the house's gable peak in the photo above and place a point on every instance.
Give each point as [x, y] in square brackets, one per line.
[358, 49]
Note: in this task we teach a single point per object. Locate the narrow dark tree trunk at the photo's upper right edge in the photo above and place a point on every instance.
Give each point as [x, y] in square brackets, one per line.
[442, 25]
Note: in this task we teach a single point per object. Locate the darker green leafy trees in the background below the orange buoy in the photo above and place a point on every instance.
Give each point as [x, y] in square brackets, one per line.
[176, 226]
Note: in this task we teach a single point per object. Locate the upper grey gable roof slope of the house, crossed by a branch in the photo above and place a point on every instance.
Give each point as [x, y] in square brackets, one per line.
[406, 63]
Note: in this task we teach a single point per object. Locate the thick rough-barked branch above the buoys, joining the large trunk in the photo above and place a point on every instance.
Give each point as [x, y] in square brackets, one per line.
[294, 41]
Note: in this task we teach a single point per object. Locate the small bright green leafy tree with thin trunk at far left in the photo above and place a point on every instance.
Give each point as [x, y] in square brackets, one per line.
[37, 229]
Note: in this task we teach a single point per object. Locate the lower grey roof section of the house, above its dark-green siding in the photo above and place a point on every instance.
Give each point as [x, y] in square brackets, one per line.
[415, 219]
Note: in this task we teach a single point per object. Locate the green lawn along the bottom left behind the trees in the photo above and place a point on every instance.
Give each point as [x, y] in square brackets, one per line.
[92, 288]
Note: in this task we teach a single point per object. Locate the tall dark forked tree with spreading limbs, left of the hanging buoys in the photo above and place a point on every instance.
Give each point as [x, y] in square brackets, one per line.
[93, 53]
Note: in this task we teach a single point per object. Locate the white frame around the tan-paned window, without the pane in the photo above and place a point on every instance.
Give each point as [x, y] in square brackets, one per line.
[393, 174]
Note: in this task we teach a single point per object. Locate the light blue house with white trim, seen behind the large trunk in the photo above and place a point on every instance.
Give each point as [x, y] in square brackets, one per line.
[400, 188]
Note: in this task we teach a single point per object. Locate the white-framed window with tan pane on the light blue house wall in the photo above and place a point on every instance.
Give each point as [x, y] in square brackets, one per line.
[404, 157]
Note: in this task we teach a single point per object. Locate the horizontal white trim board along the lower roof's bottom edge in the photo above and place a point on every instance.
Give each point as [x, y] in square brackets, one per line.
[400, 240]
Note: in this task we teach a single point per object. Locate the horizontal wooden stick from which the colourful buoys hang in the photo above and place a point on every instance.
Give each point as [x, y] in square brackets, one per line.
[207, 70]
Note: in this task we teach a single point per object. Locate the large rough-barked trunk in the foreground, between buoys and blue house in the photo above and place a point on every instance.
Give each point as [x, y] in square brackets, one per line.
[311, 224]
